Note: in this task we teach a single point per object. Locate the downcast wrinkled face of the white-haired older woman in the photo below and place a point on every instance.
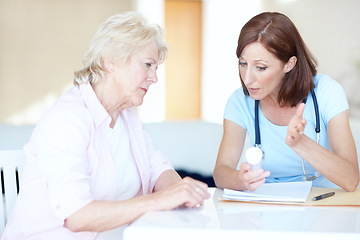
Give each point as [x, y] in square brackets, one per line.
[132, 80]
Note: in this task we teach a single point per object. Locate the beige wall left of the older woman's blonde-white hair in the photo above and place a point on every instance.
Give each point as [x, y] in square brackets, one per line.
[42, 43]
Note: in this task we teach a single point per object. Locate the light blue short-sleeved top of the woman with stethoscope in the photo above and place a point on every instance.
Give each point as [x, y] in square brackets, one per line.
[282, 162]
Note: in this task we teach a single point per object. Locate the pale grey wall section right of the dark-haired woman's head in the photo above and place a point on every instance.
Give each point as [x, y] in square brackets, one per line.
[330, 29]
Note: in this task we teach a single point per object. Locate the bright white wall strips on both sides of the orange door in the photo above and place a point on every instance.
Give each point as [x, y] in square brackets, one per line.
[222, 21]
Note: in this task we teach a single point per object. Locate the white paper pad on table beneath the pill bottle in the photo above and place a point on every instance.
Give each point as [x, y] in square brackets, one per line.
[273, 192]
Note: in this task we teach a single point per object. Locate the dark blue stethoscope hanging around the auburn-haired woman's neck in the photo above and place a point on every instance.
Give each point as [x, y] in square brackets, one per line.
[317, 130]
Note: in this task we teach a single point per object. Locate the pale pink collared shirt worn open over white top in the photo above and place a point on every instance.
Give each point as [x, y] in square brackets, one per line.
[69, 164]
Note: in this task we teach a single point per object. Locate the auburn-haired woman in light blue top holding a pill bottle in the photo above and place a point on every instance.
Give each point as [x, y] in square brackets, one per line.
[283, 104]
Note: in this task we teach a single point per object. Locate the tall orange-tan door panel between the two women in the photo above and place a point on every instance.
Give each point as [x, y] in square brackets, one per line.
[183, 65]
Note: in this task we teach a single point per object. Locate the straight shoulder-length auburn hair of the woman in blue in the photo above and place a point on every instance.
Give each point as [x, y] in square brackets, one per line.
[278, 34]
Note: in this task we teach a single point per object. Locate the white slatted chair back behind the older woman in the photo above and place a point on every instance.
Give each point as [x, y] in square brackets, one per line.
[11, 166]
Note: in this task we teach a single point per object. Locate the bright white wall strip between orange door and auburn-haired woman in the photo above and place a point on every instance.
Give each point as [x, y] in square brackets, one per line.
[222, 21]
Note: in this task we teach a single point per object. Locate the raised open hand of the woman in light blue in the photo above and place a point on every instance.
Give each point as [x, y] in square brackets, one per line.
[296, 127]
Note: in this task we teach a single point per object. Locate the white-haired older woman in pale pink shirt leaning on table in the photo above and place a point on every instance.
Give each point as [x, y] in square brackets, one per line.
[90, 165]
